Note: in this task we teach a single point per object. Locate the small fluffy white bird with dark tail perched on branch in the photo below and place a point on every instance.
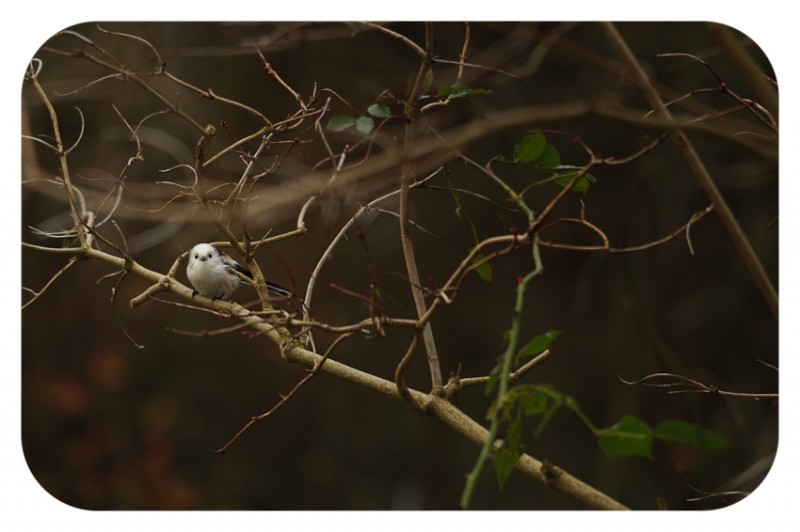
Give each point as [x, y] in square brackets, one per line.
[211, 272]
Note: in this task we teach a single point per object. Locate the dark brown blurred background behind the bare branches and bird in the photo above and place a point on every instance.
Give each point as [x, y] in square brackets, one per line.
[110, 426]
